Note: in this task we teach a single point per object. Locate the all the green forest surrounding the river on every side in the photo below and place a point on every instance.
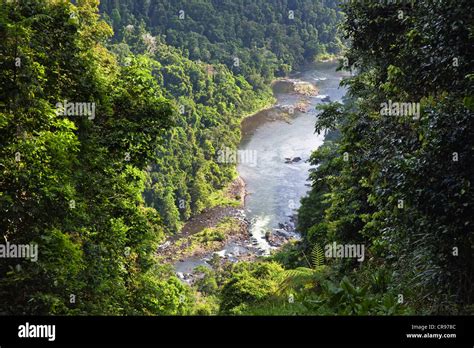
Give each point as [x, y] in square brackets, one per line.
[112, 116]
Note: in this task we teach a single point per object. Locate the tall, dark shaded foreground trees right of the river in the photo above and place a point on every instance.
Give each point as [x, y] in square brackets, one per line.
[393, 158]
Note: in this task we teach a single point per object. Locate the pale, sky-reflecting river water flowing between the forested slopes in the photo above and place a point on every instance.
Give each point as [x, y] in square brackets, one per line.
[275, 187]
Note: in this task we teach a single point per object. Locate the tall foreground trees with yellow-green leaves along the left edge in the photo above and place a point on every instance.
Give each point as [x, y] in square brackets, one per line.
[66, 184]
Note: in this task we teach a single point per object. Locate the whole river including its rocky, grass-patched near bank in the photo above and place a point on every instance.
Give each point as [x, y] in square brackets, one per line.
[258, 215]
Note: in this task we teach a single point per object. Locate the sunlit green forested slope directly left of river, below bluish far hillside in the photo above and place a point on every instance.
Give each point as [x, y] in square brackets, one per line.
[186, 176]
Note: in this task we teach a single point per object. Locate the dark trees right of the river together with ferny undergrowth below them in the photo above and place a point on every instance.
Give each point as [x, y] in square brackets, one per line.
[398, 182]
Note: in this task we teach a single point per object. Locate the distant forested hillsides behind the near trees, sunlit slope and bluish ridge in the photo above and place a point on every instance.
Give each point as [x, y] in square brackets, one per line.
[207, 63]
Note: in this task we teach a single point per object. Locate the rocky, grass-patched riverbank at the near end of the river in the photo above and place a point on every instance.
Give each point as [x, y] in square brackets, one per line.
[220, 235]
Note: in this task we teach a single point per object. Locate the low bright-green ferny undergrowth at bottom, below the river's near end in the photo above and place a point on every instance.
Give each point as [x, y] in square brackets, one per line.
[306, 291]
